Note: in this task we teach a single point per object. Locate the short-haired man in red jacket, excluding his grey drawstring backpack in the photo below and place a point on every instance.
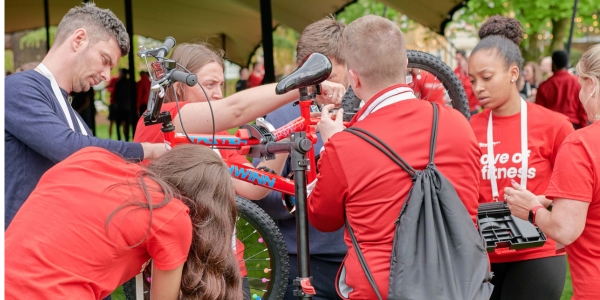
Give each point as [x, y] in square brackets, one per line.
[370, 192]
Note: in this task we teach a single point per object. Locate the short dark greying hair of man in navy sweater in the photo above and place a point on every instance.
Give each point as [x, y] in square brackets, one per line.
[100, 24]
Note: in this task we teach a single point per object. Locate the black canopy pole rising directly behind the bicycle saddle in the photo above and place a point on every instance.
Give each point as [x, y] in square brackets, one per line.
[267, 33]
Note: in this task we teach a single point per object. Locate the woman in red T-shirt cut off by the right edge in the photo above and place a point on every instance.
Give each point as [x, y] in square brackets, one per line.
[575, 188]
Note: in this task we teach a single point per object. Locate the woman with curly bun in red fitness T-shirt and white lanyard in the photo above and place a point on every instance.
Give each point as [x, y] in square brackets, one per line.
[519, 142]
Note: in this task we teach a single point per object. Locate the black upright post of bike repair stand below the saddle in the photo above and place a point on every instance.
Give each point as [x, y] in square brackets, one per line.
[299, 164]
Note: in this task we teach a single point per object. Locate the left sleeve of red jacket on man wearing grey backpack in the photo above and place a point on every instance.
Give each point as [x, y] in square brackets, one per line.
[326, 202]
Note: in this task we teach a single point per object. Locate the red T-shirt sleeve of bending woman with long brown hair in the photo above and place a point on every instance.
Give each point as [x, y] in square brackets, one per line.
[170, 245]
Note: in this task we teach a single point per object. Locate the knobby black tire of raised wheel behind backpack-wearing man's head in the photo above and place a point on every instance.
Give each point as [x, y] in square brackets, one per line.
[427, 62]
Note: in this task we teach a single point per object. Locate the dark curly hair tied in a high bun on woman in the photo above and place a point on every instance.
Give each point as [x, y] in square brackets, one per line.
[503, 35]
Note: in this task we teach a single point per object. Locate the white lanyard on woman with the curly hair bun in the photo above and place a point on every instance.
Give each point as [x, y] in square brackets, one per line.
[491, 157]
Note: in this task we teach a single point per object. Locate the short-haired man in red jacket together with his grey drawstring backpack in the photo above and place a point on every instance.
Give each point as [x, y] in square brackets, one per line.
[370, 193]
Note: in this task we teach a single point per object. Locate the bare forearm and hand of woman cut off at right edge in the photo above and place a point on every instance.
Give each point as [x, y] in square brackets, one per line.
[564, 223]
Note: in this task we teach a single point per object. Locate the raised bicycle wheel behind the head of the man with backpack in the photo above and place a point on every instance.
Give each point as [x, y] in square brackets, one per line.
[432, 80]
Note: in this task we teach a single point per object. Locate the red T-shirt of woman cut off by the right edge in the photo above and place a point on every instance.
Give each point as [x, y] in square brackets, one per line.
[576, 176]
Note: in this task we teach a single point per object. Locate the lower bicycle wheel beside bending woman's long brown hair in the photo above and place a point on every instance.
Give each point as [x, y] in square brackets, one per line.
[264, 252]
